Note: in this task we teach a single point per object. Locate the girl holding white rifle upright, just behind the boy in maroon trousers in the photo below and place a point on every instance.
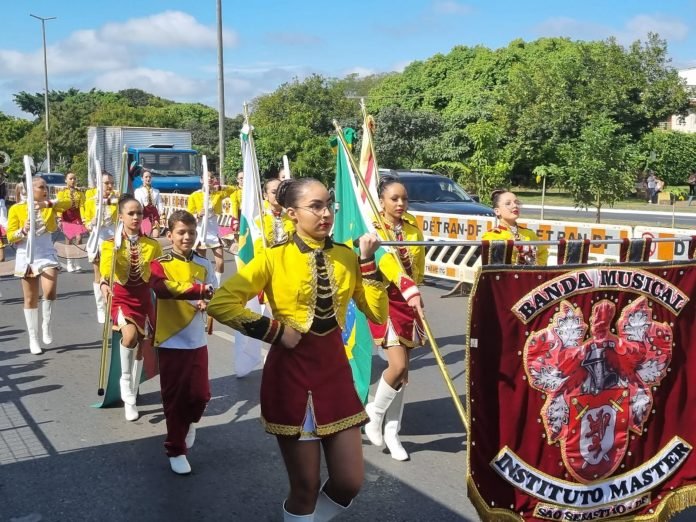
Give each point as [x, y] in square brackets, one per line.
[196, 206]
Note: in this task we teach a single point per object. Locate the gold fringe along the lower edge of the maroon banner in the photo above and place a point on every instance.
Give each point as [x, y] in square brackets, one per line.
[671, 504]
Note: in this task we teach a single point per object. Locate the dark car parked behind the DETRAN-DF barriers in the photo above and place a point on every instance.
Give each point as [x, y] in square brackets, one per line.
[429, 191]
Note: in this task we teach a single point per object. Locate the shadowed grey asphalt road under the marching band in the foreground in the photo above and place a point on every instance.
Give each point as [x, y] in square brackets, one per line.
[63, 460]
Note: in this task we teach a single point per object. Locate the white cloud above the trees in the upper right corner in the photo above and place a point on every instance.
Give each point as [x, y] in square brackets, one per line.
[635, 28]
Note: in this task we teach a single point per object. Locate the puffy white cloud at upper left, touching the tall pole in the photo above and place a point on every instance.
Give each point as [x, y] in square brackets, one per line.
[170, 29]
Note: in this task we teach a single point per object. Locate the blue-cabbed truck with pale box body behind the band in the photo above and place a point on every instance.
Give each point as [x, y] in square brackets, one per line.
[167, 153]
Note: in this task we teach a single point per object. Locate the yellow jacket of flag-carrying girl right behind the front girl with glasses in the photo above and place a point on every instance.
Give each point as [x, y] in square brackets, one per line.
[412, 258]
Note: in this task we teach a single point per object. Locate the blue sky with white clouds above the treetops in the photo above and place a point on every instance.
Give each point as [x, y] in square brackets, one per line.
[168, 47]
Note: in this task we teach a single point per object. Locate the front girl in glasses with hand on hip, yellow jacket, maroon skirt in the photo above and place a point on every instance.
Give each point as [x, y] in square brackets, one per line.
[308, 399]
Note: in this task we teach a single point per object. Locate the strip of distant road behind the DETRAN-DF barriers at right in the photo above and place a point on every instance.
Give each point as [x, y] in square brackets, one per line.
[659, 216]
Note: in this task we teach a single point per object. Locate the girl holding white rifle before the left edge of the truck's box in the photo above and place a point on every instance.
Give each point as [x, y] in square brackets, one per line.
[105, 231]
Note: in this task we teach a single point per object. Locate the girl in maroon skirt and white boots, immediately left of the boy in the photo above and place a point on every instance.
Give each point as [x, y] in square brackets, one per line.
[132, 311]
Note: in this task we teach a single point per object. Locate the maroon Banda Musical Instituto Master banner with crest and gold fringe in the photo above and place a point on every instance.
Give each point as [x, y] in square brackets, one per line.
[582, 392]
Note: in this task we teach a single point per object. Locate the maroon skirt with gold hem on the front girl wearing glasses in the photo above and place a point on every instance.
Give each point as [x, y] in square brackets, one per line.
[315, 374]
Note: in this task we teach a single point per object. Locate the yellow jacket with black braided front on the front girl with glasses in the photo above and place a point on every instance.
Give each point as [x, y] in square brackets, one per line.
[287, 273]
